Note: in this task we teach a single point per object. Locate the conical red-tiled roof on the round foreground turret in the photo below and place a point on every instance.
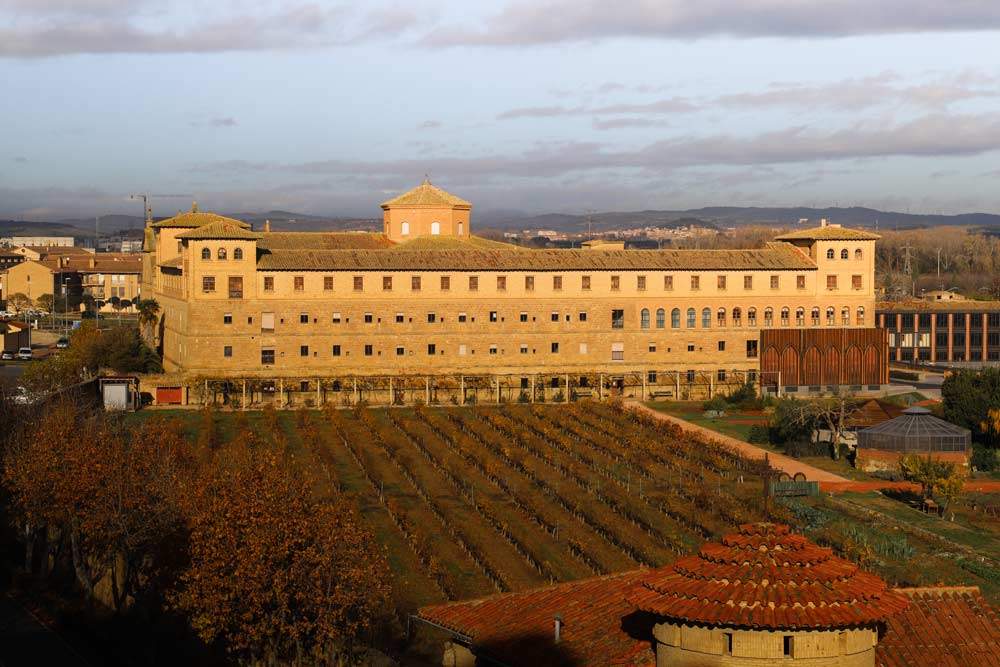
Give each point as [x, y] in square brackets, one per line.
[765, 577]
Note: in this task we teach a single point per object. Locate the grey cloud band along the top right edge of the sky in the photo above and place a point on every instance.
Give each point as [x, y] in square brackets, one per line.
[532, 22]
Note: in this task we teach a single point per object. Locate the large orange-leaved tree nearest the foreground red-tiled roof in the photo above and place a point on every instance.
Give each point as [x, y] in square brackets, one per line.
[274, 573]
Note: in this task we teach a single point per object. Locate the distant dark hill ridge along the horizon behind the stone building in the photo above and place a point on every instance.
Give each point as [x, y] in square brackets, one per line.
[718, 216]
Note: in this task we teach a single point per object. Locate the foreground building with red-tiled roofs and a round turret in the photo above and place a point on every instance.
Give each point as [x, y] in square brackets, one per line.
[761, 597]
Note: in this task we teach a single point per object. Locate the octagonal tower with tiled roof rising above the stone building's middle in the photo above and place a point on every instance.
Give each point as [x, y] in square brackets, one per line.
[426, 210]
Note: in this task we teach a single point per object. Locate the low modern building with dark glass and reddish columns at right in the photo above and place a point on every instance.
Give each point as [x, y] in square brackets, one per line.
[944, 332]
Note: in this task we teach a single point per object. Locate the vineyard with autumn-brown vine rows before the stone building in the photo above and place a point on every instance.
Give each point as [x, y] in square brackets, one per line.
[474, 501]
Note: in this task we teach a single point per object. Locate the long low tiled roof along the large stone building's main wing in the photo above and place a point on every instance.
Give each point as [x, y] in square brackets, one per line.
[467, 256]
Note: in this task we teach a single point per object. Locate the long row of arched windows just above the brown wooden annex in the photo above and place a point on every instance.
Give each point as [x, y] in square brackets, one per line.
[735, 317]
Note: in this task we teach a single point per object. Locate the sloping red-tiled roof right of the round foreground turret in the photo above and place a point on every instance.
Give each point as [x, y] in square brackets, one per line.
[942, 627]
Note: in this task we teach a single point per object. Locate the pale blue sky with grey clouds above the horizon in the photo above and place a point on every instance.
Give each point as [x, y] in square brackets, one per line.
[517, 105]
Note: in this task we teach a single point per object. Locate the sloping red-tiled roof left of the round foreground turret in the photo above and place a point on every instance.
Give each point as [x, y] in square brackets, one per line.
[599, 626]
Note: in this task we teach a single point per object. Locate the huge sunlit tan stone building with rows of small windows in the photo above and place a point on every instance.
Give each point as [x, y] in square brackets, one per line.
[427, 298]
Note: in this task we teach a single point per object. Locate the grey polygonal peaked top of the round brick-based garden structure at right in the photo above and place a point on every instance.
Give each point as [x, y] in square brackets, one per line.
[915, 431]
